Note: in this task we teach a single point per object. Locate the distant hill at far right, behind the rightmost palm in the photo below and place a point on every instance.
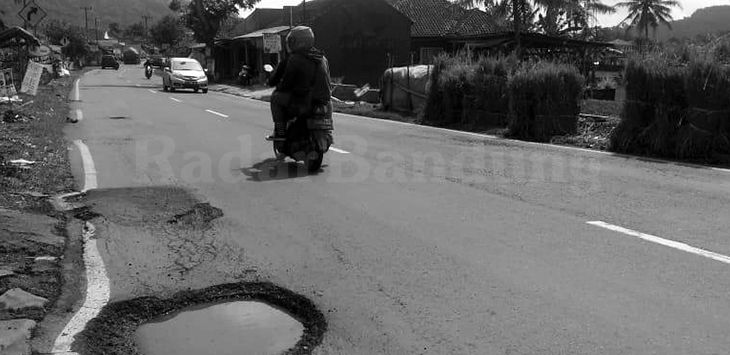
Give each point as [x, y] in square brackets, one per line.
[712, 19]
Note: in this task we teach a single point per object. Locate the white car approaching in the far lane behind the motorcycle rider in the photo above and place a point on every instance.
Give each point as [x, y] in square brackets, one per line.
[184, 73]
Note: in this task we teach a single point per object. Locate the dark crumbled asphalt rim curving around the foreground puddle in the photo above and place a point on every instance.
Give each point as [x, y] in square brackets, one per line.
[112, 331]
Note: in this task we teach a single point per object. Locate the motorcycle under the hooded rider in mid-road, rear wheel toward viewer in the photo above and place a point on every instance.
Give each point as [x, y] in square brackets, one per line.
[308, 137]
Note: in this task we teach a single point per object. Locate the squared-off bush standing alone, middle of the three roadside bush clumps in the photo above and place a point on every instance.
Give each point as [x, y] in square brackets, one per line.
[544, 101]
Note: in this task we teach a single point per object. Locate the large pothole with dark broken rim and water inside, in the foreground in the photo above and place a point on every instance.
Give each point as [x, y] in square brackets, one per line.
[236, 318]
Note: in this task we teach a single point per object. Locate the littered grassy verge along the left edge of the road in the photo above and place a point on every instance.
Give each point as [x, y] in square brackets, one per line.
[38, 138]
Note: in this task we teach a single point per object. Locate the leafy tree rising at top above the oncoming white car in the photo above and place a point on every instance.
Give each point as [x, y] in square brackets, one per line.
[205, 17]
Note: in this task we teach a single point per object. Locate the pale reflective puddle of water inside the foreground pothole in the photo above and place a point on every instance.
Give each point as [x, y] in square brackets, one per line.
[233, 328]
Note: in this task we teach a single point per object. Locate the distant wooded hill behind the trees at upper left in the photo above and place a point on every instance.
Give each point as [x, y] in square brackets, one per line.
[124, 12]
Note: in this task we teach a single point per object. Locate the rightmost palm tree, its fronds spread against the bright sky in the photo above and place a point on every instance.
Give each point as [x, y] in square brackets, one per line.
[645, 13]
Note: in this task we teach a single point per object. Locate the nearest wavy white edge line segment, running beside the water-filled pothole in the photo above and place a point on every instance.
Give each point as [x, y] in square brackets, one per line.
[97, 294]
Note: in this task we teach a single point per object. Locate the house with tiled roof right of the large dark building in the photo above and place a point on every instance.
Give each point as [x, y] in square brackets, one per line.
[441, 26]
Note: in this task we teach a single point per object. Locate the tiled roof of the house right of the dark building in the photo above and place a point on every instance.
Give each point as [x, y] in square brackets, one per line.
[439, 18]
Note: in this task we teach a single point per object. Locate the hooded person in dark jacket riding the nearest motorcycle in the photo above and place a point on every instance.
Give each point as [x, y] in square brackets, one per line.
[302, 80]
